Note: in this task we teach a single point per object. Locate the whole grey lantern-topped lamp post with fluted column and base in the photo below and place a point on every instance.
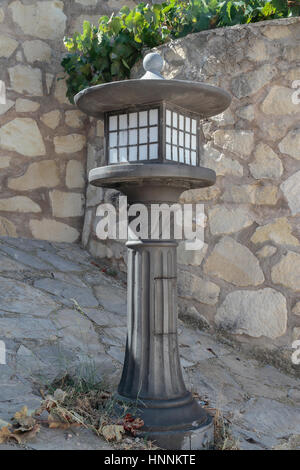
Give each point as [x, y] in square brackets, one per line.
[153, 154]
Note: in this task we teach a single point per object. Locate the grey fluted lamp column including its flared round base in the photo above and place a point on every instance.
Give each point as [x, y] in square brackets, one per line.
[152, 382]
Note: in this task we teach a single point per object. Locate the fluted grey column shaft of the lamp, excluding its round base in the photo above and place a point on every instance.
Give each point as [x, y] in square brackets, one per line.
[152, 368]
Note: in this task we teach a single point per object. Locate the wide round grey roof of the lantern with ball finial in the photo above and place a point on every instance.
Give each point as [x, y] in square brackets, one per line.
[197, 97]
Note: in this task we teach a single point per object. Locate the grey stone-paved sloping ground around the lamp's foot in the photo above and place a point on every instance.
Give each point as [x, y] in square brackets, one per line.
[41, 286]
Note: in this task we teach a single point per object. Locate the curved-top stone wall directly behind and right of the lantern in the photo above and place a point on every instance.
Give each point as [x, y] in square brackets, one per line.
[246, 282]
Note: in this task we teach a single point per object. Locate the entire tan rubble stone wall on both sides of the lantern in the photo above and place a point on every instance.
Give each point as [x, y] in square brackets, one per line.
[246, 281]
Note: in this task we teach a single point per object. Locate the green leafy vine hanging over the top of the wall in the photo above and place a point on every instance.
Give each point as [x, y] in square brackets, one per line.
[108, 51]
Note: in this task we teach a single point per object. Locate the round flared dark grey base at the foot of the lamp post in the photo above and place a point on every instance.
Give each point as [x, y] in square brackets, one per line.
[172, 424]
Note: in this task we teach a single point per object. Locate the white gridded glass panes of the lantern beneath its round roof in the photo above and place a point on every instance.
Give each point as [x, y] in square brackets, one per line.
[137, 135]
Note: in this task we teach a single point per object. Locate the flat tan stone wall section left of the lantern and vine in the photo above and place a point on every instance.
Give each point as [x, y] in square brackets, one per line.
[42, 136]
